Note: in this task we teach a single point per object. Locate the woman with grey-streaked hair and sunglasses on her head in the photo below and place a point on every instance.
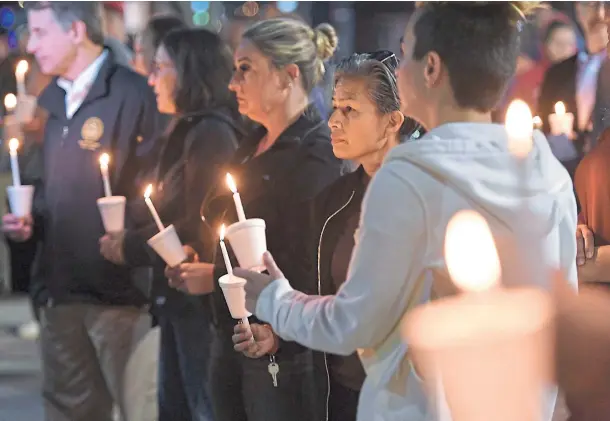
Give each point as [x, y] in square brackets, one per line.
[365, 124]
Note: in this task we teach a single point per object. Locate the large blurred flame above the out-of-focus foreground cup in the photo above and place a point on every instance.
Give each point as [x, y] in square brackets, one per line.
[470, 252]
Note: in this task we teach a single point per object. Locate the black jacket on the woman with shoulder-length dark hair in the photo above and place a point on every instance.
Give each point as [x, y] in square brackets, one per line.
[191, 154]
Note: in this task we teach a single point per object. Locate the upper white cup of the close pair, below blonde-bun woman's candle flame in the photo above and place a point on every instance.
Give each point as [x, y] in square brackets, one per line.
[249, 243]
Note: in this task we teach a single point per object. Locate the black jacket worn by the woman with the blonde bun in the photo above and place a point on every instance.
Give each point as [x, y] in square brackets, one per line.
[278, 186]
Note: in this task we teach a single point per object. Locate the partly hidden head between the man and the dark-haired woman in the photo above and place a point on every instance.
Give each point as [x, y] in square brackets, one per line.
[146, 43]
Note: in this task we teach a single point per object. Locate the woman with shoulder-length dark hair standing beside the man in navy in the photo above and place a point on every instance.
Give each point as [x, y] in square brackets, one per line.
[191, 72]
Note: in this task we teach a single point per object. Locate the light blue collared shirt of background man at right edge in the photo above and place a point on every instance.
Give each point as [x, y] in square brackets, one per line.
[586, 84]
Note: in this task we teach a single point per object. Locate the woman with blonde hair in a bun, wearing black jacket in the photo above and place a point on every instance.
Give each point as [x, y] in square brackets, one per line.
[286, 161]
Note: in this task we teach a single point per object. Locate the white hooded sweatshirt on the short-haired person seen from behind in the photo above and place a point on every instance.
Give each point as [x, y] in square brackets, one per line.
[408, 205]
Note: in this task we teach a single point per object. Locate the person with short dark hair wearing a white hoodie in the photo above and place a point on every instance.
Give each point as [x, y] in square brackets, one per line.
[457, 61]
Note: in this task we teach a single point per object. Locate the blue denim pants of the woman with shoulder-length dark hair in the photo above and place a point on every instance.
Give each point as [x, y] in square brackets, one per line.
[183, 389]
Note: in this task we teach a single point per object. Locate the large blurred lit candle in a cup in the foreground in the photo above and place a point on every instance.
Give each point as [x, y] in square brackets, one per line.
[487, 350]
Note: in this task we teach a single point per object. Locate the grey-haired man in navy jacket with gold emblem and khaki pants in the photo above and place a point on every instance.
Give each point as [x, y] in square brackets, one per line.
[92, 314]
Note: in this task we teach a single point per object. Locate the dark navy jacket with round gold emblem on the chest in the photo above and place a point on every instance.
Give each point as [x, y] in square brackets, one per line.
[118, 116]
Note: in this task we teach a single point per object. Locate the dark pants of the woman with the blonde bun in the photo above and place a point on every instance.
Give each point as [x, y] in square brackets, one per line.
[242, 389]
